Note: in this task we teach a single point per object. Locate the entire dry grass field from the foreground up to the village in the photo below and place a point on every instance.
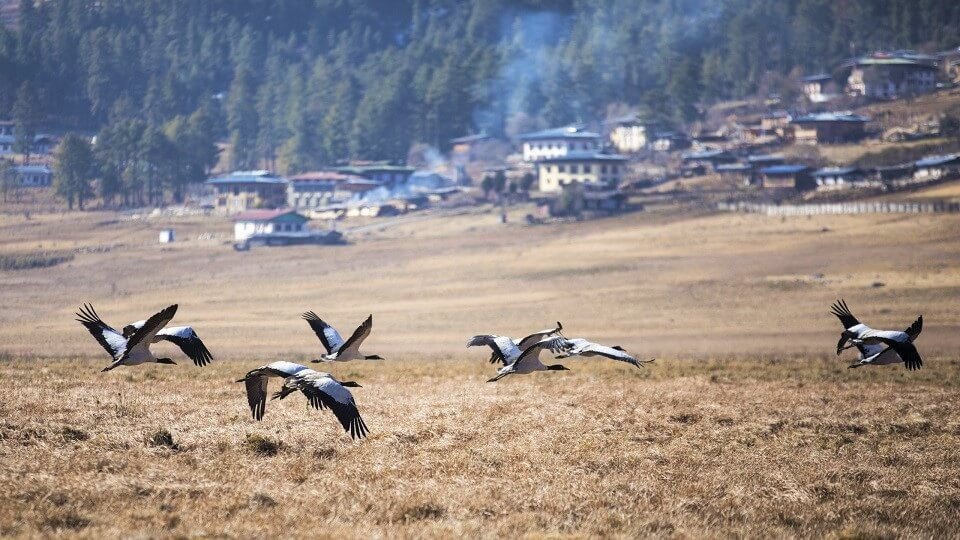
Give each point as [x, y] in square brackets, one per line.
[747, 424]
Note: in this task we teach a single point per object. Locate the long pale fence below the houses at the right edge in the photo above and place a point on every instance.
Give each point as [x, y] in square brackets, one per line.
[848, 208]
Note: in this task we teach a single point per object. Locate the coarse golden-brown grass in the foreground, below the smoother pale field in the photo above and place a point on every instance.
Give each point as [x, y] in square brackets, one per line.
[723, 447]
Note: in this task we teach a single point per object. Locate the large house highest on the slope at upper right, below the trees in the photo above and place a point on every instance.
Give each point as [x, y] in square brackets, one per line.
[887, 75]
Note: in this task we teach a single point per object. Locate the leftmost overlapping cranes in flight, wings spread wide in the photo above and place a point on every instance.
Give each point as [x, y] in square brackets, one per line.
[115, 342]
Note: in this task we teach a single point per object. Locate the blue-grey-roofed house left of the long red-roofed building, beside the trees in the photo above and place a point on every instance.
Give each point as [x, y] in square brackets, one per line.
[247, 190]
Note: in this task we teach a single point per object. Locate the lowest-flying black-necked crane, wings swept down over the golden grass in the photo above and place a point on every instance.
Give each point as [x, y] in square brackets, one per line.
[321, 389]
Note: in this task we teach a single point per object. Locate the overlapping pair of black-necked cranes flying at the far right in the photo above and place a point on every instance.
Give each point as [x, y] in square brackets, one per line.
[877, 347]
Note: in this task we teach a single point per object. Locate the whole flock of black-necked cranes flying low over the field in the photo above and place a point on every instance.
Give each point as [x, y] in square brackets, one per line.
[131, 347]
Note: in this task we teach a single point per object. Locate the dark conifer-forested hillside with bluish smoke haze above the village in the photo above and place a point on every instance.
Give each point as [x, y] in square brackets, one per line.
[311, 81]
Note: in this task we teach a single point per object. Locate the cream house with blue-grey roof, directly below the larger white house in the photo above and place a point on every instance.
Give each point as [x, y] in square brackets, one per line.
[588, 168]
